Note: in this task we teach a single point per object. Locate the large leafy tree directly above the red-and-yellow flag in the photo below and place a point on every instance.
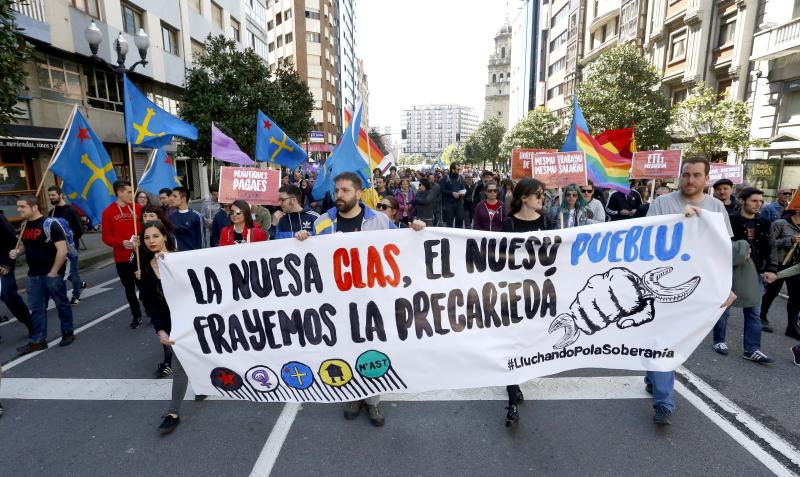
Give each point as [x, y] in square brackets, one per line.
[622, 87]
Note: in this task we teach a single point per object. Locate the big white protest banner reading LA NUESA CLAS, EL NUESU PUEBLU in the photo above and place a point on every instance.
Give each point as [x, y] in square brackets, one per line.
[337, 318]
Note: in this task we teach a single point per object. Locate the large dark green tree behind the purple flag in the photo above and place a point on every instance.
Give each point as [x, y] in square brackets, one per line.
[228, 87]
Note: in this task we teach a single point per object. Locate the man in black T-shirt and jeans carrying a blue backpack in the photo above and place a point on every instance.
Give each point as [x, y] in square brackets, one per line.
[44, 243]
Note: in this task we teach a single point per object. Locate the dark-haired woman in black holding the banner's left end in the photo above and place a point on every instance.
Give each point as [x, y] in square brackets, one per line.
[158, 242]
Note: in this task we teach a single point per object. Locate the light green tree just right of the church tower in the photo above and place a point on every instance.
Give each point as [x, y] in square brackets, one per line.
[540, 129]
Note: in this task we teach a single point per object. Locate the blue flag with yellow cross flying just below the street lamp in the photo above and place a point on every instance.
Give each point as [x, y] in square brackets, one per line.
[147, 125]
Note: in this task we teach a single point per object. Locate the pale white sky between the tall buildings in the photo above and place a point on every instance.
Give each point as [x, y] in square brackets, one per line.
[425, 51]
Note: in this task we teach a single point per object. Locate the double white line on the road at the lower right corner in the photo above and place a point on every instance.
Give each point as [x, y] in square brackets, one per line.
[769, 437]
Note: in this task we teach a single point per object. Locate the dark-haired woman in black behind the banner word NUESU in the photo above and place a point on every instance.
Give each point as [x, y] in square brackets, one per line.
[524, 215]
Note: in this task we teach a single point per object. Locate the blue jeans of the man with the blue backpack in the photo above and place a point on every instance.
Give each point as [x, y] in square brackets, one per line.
[40, 290]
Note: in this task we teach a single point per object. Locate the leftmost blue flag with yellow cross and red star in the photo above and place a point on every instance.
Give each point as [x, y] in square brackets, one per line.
[85, 169]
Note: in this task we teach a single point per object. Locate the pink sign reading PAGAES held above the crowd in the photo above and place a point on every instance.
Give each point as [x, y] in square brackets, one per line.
[256, 186]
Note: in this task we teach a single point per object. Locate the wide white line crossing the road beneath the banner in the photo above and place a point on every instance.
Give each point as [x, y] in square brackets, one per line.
[606, 387]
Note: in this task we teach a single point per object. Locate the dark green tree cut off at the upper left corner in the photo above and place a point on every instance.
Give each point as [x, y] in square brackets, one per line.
[13, 55]
